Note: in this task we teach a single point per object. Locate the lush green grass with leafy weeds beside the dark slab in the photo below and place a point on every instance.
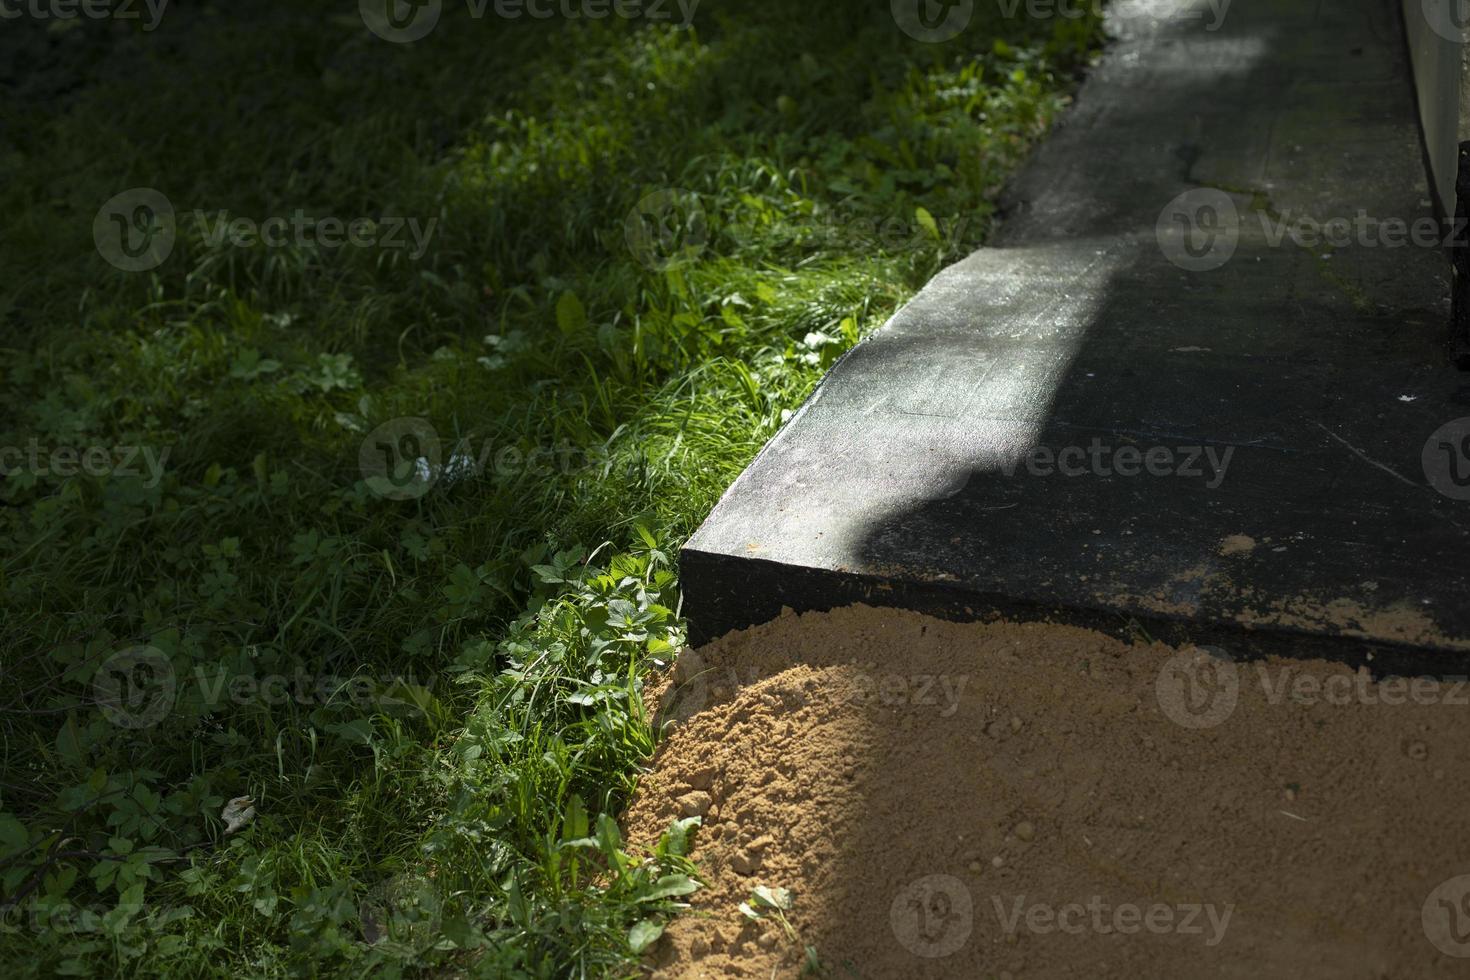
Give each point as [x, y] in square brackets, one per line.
[458, 721]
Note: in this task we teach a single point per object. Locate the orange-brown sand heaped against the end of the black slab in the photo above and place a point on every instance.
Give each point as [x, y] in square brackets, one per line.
[1040, 801]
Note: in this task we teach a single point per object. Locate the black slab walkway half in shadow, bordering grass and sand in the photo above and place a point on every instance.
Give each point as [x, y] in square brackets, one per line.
[1109, 417]
